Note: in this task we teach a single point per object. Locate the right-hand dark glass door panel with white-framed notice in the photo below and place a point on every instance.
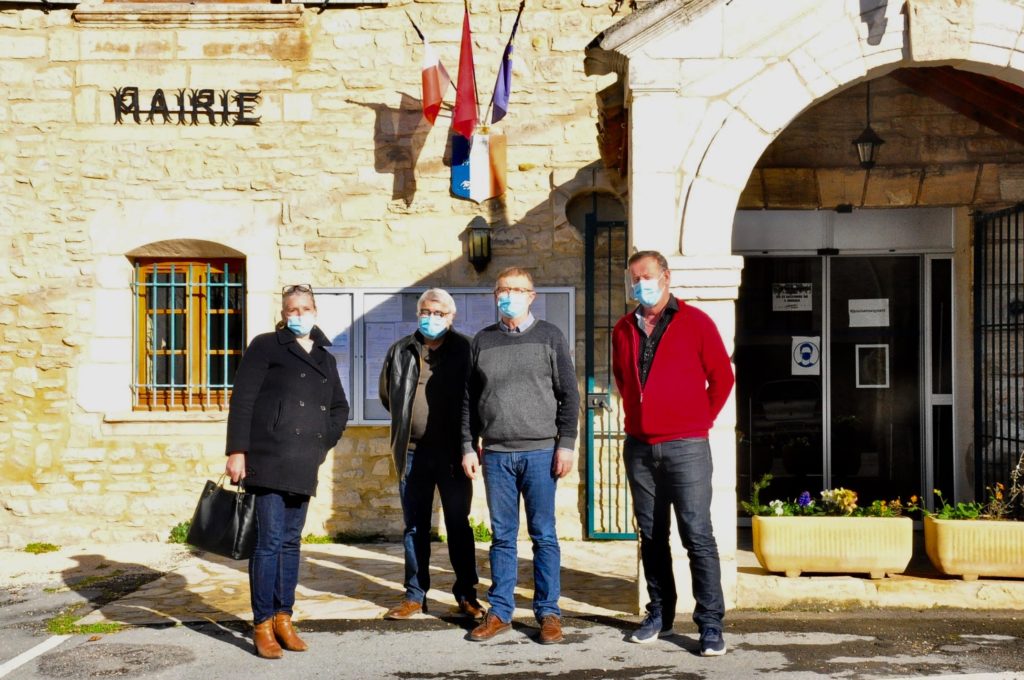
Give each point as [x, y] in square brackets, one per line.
[874, 376]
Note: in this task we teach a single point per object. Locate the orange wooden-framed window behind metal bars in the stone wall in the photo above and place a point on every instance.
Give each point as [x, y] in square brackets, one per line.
[190, 332]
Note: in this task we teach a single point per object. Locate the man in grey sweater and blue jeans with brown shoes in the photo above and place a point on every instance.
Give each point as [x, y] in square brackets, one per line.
[524, 404]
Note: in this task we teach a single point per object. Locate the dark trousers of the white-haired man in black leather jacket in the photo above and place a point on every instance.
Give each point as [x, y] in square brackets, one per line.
[424, 472]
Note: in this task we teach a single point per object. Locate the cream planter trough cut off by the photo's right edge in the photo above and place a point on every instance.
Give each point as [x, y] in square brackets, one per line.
[972, 548]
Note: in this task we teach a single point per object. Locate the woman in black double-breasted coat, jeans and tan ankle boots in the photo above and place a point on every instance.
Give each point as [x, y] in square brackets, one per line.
[288, 410]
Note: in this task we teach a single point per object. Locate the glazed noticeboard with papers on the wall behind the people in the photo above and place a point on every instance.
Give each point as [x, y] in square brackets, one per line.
[363, 324]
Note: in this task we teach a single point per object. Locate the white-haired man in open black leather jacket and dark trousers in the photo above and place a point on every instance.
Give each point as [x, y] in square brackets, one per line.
[423, 386]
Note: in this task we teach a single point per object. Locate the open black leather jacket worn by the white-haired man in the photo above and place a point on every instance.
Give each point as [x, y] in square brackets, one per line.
[447, 393]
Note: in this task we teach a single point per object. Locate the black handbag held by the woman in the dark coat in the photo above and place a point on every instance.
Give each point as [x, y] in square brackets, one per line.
[225, 522]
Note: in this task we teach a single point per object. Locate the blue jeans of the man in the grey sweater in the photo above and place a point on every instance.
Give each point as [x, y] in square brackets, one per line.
[506, 477]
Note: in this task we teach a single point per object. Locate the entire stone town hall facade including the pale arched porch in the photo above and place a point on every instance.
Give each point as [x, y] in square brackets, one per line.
[727, 105]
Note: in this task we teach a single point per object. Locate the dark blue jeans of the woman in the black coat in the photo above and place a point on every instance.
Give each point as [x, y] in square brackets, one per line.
[274, 569]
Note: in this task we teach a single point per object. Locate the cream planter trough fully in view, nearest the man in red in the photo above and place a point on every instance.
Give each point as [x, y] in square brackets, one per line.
[834, 545]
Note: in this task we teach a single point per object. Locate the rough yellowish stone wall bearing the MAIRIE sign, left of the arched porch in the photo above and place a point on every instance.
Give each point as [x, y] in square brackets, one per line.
[343, 185]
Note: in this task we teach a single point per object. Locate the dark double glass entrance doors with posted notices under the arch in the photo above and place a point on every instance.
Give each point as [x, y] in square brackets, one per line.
[829, 367]
